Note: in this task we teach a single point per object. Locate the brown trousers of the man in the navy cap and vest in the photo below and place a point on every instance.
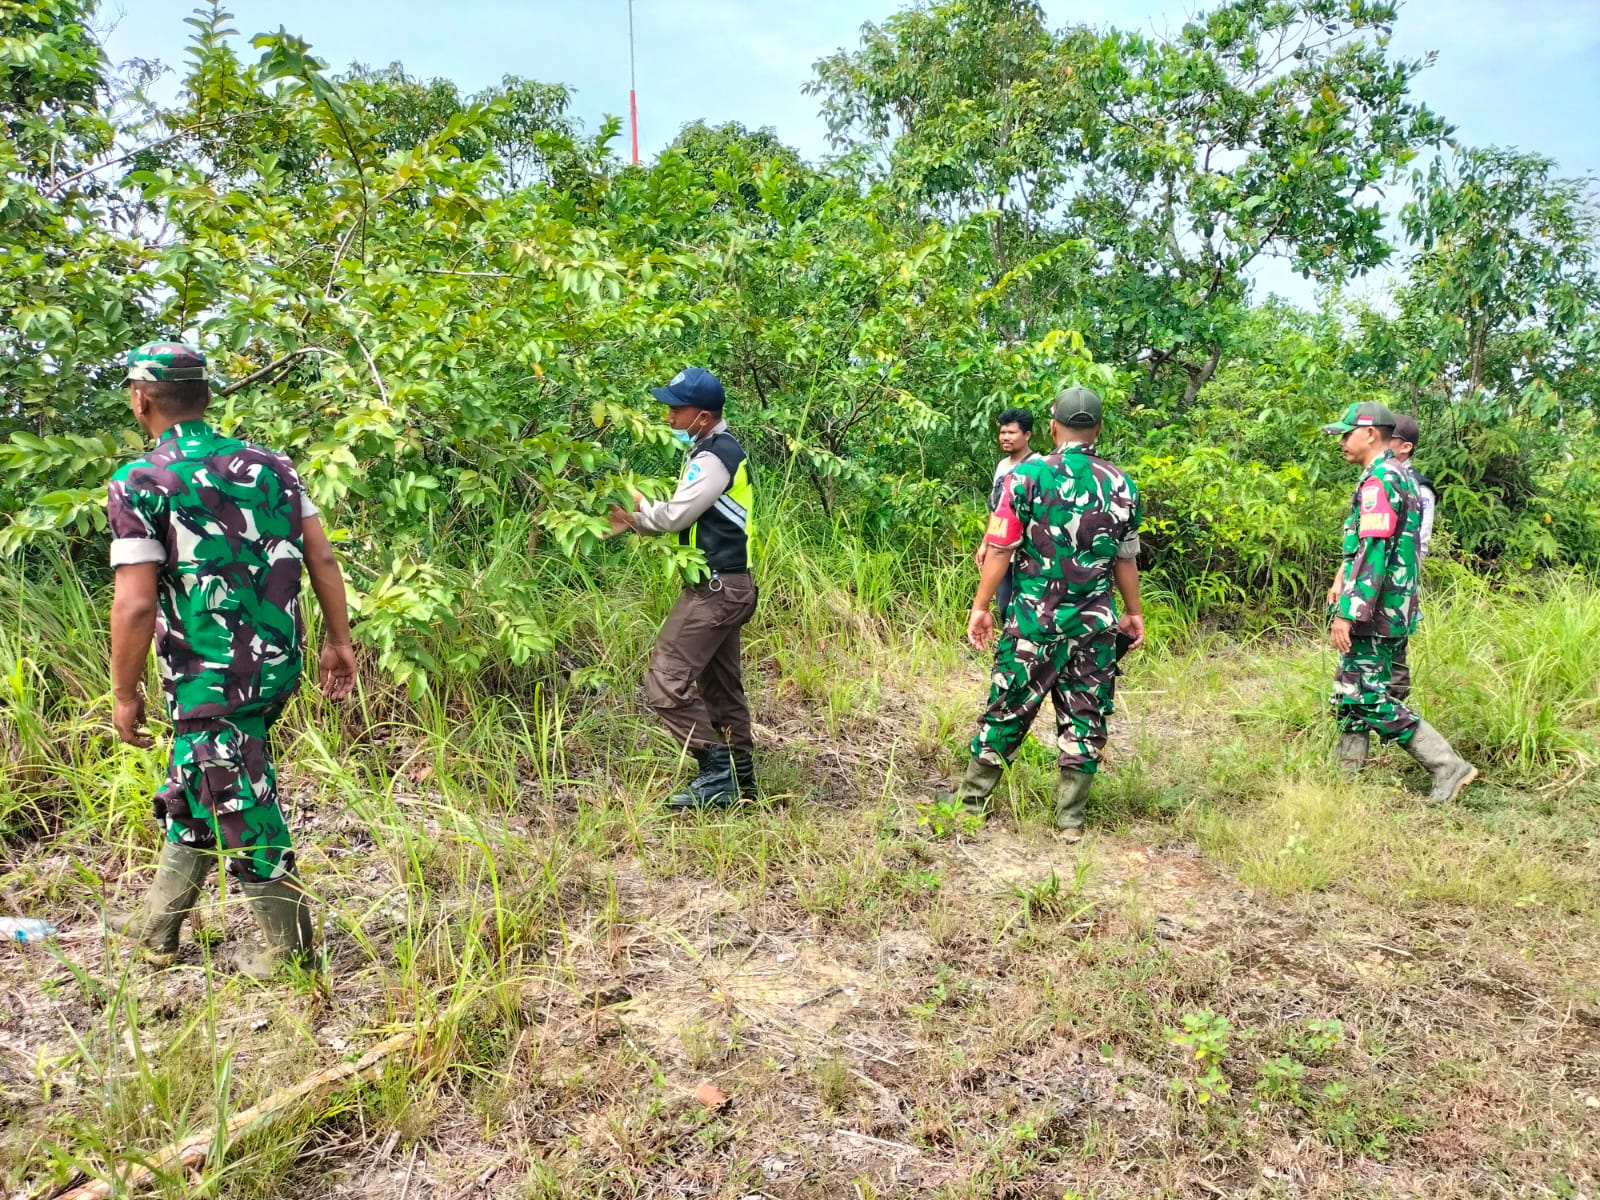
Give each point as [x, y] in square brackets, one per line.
[695, 682]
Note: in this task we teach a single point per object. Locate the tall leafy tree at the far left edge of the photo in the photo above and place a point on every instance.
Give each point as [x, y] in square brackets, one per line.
[73, 292]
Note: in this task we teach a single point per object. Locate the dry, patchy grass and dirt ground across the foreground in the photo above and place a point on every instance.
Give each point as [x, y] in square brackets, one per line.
[879, 1010]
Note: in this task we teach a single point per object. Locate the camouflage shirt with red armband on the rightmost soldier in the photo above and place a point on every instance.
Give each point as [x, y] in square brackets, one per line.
[1382, 551]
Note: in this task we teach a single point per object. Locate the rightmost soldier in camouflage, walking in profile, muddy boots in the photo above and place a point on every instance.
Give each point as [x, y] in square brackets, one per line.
[1375, 606]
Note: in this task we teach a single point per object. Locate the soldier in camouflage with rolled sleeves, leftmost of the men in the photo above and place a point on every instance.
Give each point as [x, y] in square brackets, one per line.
[210, 535]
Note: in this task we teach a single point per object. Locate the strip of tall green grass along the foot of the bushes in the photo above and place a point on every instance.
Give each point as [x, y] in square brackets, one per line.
[1506, 668]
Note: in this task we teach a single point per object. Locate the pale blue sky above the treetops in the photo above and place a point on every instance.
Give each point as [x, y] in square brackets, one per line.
[1510, 73]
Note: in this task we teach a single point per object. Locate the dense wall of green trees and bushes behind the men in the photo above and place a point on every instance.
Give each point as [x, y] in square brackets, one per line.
[449, 308]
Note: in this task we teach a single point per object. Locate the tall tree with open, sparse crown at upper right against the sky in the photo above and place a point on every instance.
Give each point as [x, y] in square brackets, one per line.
[1262, 130]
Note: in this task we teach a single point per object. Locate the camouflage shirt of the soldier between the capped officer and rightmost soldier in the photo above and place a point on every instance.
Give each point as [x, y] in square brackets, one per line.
[1068, 514]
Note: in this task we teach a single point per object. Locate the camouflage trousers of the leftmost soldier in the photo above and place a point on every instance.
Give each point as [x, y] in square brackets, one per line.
[222, 793]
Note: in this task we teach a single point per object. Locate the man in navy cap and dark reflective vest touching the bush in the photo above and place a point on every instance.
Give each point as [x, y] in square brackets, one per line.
[695, 682]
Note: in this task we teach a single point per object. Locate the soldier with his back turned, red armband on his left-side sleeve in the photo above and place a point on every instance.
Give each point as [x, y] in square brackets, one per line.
[1070, 524]
